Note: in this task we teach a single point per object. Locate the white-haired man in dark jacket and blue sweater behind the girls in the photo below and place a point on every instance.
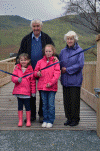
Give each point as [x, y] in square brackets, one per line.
[33, 43]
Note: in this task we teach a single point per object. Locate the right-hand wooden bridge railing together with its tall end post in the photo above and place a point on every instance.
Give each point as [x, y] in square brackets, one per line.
[91, 80]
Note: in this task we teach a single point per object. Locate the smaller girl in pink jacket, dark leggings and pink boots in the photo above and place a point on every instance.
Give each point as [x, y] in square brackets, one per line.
[24, 87]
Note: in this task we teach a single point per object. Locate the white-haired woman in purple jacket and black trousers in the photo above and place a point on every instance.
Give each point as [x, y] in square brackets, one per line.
[71, 78]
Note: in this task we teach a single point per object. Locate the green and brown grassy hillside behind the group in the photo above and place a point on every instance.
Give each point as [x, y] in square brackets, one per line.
[14, 28]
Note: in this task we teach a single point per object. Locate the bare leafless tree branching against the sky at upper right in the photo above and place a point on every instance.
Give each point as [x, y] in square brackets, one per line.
[85, 12]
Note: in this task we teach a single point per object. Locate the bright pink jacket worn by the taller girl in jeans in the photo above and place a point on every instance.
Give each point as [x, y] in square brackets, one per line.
[49, 75]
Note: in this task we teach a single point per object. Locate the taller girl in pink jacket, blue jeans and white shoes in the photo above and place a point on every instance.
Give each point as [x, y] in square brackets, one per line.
[47, 84]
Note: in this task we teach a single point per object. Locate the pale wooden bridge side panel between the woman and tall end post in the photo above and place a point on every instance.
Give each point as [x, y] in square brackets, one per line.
[88, 85]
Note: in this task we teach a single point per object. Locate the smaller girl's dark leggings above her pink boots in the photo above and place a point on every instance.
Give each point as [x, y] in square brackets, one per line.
[21, 102]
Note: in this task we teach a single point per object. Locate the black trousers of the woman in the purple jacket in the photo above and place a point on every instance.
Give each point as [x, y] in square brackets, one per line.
[71, 97]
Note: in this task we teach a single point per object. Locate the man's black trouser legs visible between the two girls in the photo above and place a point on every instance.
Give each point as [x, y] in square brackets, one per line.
[33, 106]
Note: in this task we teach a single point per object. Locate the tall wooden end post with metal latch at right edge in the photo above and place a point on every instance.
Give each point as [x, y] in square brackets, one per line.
[98, 83]
